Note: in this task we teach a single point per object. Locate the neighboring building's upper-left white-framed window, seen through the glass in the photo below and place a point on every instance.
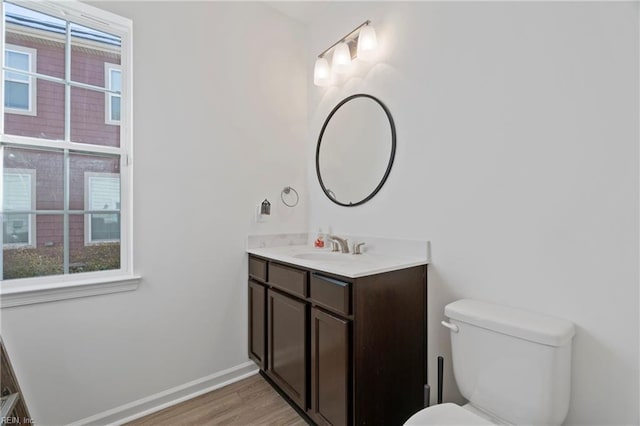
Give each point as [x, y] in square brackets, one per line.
[19, 88]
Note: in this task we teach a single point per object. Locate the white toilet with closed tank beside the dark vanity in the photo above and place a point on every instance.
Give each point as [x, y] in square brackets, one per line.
[513, 366]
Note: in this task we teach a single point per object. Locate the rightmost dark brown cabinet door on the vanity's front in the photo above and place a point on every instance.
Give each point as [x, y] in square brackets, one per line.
[330, 369]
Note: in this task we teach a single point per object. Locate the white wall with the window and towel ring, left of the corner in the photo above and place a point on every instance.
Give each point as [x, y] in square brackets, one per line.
[220, 124]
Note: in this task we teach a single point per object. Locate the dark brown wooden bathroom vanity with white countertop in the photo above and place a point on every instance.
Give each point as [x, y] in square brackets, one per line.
[342, 336]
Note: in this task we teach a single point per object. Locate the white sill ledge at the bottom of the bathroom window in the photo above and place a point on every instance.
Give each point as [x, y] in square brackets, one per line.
[11, 296]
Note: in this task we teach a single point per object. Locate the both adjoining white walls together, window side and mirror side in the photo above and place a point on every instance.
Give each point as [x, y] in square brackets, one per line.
[517, 157]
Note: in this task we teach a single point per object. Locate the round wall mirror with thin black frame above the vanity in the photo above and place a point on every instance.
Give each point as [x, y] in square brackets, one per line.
[355, 150]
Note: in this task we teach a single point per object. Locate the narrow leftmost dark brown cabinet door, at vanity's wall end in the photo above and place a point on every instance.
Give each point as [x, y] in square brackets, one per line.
[257, 323]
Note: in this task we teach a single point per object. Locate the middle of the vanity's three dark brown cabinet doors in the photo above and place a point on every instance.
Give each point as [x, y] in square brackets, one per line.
[287, 345]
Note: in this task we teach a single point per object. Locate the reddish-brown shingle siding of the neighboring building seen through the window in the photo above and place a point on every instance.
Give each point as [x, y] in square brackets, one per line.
[87, 125]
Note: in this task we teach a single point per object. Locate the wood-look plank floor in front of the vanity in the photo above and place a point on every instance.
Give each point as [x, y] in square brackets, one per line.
[250, 401]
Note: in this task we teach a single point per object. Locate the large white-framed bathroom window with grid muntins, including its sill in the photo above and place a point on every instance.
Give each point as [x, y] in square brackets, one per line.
[78, 146]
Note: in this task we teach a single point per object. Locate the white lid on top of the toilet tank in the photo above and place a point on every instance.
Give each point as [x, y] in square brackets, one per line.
[511, 321]
